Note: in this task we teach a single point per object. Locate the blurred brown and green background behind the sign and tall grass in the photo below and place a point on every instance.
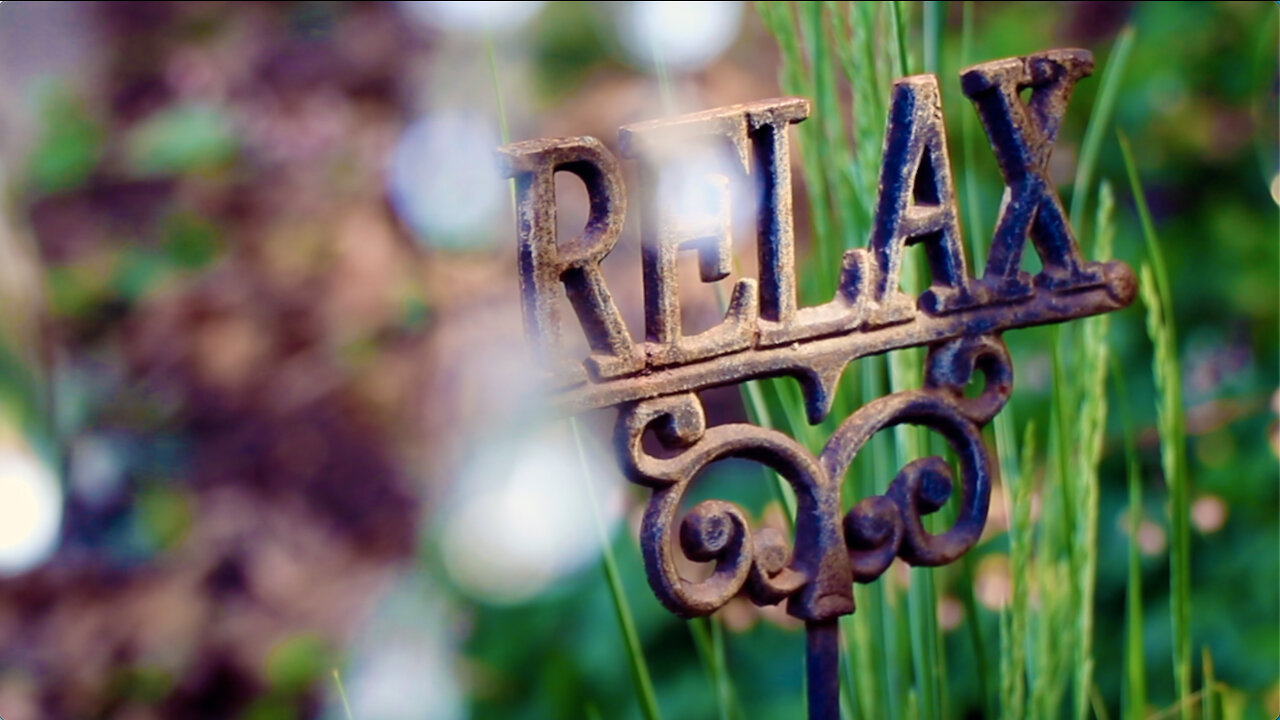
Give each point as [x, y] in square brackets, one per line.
[259, 339]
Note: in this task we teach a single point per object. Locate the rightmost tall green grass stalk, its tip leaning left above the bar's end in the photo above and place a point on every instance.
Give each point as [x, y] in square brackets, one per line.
[1158, 297]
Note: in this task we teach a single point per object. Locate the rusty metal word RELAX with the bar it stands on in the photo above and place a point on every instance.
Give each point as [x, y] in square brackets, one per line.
[765, 332]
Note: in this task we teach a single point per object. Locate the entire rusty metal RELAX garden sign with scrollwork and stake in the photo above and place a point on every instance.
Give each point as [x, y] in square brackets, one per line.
[765, 334]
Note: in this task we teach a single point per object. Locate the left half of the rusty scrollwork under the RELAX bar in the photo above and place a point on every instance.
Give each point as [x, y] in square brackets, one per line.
[760, 563]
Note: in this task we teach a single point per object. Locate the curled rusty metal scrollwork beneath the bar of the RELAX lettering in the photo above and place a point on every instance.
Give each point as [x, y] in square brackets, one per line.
[830, 552]
